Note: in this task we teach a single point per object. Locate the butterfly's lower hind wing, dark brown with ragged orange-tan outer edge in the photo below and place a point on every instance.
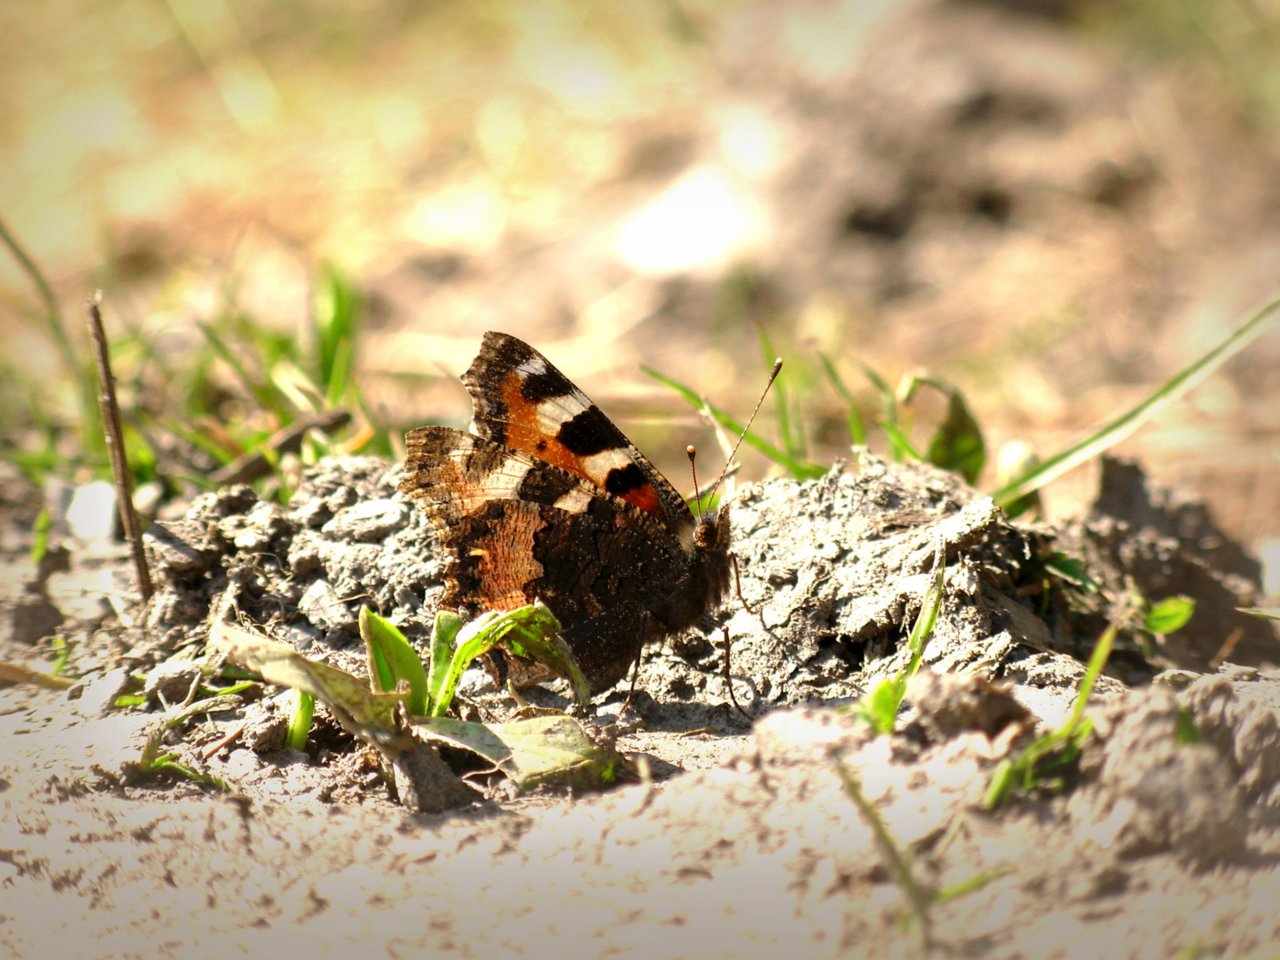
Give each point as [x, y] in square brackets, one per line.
[518, 529]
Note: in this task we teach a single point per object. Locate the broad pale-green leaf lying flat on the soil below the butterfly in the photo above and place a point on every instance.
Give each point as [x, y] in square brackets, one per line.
[534, 752]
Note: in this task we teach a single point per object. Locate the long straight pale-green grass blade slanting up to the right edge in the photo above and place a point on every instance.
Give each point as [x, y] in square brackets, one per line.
[1132, 420]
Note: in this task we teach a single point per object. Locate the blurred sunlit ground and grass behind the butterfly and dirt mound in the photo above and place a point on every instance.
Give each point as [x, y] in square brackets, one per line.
[1052, 205]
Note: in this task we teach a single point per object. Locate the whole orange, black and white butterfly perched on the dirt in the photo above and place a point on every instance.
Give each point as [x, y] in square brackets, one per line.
[547, 500]
